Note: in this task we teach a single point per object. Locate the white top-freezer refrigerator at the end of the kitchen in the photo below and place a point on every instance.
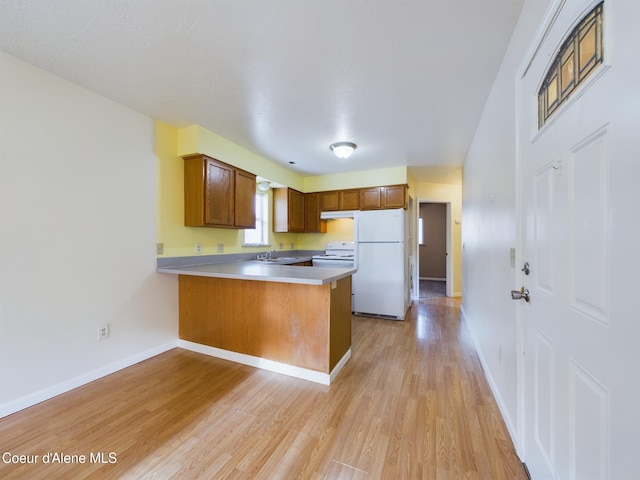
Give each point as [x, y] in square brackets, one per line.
[381, 285]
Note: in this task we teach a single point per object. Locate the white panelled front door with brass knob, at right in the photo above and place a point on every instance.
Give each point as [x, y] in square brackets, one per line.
[580, 180]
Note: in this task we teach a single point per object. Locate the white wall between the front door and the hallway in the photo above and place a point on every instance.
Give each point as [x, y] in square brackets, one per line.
[489, 225]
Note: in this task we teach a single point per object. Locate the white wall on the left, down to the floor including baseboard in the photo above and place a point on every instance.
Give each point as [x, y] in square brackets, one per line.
[77, 244]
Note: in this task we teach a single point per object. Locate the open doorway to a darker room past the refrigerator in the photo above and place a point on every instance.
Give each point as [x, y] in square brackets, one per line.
[432, 249]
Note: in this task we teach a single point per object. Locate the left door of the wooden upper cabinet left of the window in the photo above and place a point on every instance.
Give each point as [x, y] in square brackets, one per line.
[219, 194]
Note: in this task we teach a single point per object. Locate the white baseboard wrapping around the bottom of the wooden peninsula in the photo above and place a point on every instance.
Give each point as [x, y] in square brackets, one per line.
[270, 365]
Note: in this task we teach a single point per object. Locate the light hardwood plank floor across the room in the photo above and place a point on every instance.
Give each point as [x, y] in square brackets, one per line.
[412, 403]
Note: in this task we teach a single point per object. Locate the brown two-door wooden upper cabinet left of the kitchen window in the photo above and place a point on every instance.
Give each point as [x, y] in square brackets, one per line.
[217, 194]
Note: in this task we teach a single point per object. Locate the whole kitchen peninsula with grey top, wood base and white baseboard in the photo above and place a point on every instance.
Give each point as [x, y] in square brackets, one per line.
[291, 319]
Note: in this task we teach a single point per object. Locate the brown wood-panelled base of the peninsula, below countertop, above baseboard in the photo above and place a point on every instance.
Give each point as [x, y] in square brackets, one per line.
[307, 326]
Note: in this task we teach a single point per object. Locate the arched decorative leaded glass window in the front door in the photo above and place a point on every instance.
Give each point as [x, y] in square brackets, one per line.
[578, 57]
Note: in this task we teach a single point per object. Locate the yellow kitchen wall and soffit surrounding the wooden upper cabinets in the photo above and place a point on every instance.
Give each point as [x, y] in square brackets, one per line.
[173, 143]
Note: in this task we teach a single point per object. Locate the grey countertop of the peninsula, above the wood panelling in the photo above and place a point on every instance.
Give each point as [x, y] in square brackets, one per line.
[263, 271]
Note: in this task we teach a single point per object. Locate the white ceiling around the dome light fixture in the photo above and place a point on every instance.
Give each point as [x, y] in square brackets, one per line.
[406, 80]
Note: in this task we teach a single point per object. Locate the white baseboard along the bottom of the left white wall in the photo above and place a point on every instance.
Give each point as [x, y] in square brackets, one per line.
[75, 382]
